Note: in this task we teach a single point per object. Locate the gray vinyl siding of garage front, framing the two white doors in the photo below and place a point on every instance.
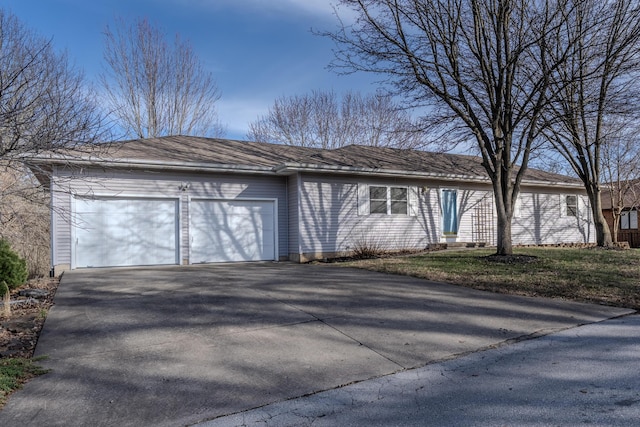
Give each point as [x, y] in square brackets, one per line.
[163, 185]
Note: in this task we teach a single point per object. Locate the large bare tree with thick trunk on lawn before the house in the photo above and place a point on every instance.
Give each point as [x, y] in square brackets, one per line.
[480, 66]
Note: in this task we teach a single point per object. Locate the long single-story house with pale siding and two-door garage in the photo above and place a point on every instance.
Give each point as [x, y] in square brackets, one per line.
[187, 200]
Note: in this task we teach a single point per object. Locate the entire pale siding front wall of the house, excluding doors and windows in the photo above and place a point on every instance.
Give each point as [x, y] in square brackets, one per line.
[318, 215]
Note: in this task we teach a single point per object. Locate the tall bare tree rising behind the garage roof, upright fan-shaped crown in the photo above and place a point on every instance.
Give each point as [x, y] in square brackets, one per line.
[154, 88]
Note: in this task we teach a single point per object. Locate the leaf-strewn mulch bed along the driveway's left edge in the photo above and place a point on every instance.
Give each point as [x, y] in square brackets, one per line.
[20, 330]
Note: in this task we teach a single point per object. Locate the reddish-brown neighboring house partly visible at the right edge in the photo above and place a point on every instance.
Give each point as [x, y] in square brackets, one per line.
[630, 197]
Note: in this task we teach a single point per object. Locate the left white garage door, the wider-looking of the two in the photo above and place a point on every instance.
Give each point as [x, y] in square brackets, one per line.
[111, 232]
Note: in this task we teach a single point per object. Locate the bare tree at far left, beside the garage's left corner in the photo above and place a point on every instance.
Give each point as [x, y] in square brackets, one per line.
[45, 107]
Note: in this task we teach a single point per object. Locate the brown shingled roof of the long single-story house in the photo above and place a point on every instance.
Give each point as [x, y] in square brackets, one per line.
[223, 154]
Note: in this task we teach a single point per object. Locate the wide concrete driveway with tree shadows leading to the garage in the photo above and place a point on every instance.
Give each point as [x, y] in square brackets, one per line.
[180, 345]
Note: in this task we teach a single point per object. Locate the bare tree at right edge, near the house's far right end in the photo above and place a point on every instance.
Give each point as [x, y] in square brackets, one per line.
[597, 87]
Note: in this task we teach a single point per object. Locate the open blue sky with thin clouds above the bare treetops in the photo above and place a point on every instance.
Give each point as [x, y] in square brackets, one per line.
[257, 50]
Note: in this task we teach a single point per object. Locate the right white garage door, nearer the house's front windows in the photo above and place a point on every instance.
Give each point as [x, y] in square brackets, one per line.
[232, 230]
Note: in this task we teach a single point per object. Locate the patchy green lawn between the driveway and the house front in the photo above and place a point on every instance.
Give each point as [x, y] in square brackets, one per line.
[610, 277]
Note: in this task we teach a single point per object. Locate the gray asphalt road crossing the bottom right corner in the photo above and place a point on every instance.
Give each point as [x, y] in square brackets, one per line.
[583, 376]
